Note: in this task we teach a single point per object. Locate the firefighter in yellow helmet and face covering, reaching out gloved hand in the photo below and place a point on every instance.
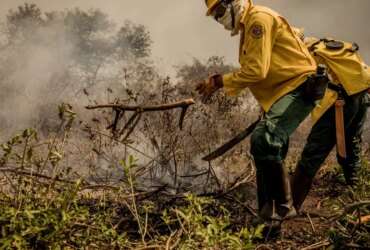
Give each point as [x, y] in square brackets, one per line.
[275, 65]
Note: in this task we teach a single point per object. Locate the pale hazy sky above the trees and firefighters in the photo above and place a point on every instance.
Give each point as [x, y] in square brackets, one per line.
[181, 31]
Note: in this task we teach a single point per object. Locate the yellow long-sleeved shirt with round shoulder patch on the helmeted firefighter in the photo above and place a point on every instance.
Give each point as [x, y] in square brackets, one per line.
[273, 60]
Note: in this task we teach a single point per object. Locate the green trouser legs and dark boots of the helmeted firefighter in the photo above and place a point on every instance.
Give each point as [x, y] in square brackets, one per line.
[269, 147]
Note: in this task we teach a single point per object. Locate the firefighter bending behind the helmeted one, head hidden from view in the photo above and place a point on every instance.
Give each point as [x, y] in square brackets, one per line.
[344, 106]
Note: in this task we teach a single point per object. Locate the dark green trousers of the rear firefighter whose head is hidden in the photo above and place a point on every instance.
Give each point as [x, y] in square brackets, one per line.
[322, 138]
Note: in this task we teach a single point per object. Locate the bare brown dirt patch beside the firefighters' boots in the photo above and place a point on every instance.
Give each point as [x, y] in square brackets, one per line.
[309, 230]
